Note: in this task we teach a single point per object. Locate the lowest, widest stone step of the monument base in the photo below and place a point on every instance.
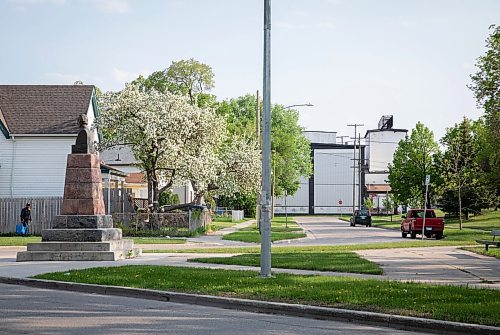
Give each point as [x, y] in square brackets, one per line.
[28, 256]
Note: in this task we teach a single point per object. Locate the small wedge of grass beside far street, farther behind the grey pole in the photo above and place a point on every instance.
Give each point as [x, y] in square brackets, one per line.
[280, 230]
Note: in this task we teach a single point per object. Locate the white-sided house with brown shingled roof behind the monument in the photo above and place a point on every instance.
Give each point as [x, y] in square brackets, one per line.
[38, 125]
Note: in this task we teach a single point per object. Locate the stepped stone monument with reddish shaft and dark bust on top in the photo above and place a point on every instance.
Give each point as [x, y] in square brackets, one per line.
[83, 231]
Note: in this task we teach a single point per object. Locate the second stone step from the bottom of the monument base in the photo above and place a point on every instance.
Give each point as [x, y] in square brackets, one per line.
[81, 246]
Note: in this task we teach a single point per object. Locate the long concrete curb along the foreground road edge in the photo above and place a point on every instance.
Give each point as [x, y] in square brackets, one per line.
[298, 310]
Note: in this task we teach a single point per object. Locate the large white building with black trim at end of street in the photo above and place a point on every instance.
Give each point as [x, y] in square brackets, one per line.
[330, 189]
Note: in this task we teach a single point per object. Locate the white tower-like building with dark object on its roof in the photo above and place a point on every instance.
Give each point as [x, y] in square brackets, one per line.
[381, 143]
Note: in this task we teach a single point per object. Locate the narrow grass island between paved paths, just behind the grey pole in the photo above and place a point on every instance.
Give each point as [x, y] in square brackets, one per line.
[339, 261]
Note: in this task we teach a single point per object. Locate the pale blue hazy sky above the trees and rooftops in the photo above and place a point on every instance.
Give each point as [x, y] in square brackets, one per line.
[355, 60]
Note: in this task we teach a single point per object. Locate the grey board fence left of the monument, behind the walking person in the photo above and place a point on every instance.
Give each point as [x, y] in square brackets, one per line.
[42, 212]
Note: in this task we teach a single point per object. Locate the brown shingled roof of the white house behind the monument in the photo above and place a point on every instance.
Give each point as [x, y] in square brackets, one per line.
[43, 109]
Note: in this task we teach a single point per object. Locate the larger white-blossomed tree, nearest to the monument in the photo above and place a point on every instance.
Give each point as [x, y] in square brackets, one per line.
[160, 129]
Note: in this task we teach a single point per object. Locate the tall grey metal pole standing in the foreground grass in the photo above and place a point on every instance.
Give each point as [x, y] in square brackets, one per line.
[265, 228]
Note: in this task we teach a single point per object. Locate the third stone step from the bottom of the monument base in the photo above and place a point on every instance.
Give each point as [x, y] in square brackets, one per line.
[81, 235]
